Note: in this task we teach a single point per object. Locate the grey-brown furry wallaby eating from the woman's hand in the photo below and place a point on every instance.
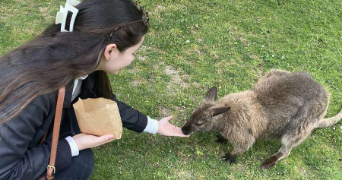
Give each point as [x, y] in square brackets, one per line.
[285, 105]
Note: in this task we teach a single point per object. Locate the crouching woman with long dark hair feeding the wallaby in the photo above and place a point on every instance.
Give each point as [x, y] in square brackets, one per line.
[105, 35]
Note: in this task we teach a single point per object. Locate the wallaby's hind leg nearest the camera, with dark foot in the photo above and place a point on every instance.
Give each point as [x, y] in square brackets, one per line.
[289, 141]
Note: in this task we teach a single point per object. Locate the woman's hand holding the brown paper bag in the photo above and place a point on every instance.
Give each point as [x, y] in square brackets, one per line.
[85, 141]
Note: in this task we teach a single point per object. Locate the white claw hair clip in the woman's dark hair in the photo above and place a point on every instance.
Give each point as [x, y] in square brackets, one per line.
[63, 13]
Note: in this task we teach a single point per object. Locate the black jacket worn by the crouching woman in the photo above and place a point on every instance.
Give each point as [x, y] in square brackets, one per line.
[22, 156]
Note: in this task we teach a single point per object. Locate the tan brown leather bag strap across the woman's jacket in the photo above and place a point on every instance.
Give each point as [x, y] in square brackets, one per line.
[51, 170]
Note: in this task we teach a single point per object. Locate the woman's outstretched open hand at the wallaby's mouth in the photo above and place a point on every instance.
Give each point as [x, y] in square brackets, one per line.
[167, 129]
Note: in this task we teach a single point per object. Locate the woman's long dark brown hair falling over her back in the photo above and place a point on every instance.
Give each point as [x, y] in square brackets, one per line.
[55, 58]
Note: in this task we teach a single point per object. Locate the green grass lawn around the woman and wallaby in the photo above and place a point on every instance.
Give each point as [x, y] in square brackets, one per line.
[194, 45]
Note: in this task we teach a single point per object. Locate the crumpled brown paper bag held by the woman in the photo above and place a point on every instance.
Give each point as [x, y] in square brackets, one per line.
[98, 117]
